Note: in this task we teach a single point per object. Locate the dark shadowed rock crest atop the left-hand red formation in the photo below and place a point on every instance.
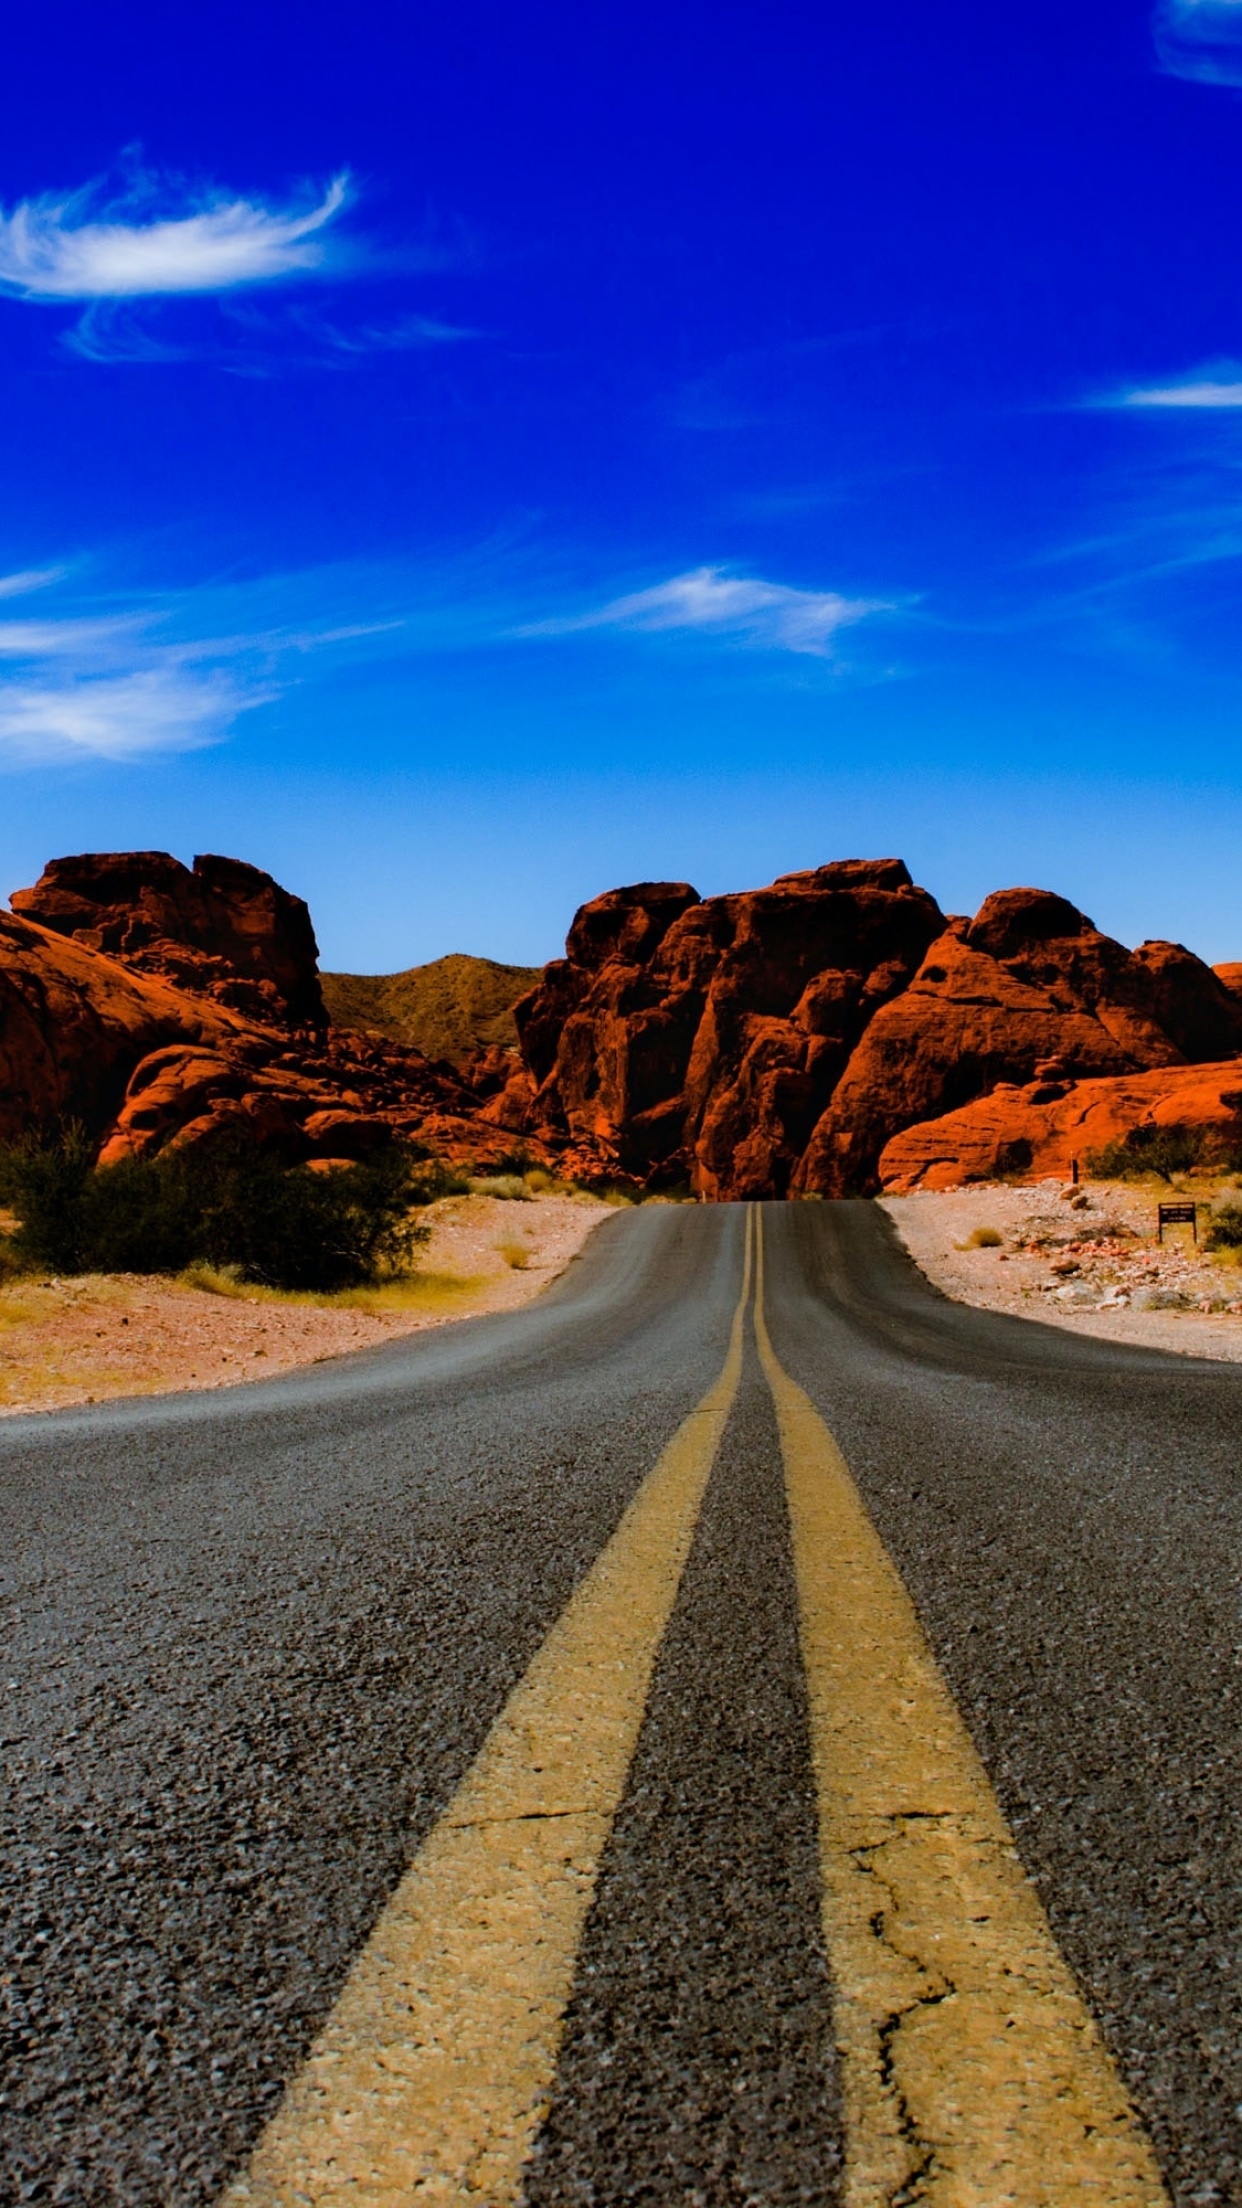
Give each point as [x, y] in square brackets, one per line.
[220, 931]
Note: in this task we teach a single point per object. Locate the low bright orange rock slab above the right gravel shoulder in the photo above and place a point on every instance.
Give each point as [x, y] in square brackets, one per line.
[1029, 1134]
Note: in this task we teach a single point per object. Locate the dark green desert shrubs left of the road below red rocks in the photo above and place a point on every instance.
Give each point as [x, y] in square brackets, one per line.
[227, 1207]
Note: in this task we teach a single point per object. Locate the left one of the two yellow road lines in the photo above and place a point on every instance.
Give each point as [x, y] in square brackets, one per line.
[436, 2066]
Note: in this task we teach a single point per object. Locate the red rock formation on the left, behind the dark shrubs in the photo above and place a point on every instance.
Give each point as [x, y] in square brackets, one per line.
[151, 1039]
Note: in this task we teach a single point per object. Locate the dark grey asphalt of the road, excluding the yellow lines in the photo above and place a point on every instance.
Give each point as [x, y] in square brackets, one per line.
[253, 1644]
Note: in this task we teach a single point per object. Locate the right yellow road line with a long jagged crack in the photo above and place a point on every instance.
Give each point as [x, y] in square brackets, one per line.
[973, 2074]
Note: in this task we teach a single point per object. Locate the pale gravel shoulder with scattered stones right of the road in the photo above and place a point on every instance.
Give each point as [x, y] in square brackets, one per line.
[1086, 1260]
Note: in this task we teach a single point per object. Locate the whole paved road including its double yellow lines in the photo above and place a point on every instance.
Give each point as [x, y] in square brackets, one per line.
[739, 1732]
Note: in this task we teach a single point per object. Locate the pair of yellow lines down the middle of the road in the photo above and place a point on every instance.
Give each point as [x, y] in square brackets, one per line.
[973, 2074]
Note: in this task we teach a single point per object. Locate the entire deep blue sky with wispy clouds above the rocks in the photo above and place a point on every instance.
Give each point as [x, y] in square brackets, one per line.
[463, 460]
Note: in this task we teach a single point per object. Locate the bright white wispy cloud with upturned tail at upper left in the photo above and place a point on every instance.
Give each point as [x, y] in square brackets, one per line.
[78, 248]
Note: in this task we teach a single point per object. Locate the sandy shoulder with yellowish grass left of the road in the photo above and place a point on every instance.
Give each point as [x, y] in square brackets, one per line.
[125, 1335]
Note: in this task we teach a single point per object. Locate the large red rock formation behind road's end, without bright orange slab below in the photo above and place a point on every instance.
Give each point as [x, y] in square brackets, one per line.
[781, 1039]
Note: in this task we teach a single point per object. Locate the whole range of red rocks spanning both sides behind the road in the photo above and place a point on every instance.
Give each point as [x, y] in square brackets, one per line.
[819, 1037]
